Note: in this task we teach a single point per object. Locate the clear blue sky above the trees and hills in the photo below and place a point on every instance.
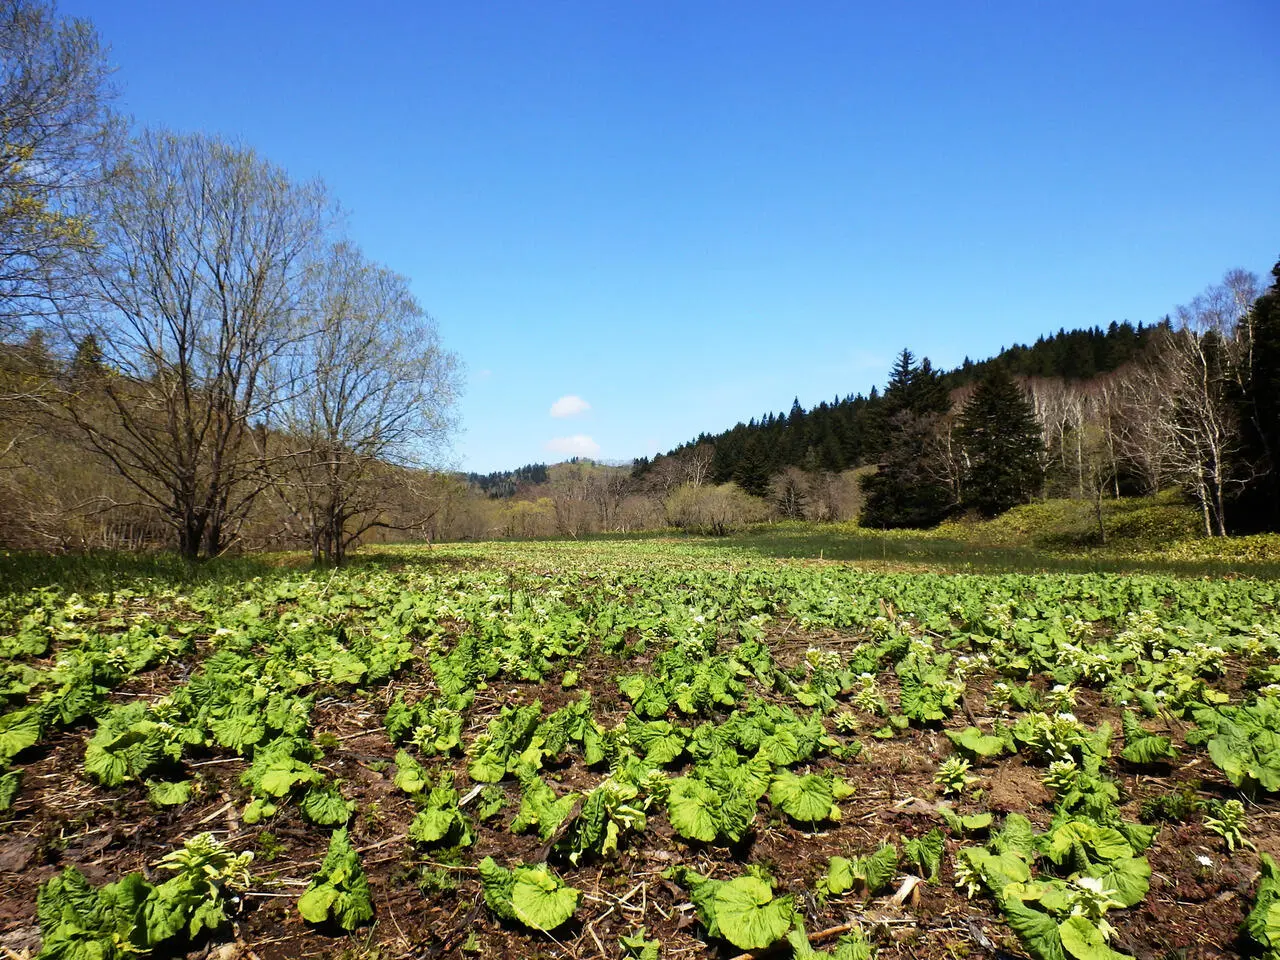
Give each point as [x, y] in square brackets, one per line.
[688, 213]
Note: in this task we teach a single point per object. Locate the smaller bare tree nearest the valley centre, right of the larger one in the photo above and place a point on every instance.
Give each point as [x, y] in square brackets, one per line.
[374, 392]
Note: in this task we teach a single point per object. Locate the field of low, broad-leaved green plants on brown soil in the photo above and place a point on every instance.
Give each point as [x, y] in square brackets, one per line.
[646, 751]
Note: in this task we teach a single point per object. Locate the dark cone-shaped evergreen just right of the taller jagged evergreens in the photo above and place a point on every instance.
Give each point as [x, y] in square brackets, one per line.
[1003, 442]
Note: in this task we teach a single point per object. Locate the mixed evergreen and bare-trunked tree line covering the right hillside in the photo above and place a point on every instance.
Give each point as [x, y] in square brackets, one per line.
[1187, 403]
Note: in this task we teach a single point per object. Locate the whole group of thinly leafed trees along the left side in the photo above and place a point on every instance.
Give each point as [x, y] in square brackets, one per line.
[190, 324]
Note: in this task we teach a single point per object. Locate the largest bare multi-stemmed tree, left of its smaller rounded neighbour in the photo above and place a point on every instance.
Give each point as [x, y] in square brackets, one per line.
[204, 249]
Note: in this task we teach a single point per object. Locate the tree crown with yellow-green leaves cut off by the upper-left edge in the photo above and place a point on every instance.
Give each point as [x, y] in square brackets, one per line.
[57, 131]
